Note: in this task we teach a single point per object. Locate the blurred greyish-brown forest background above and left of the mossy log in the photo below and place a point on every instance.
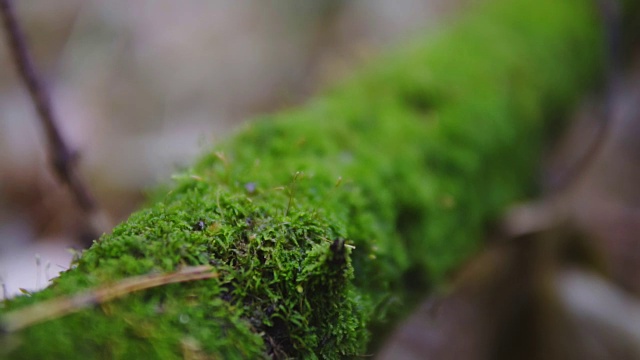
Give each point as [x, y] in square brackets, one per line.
[140, 87]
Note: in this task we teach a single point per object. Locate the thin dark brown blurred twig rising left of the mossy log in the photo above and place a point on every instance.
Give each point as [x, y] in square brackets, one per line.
[63, 157]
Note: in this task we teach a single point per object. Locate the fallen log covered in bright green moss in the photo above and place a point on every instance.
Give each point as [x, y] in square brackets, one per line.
[324, 222]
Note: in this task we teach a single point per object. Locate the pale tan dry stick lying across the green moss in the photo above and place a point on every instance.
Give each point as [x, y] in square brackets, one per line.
[56, 308]
